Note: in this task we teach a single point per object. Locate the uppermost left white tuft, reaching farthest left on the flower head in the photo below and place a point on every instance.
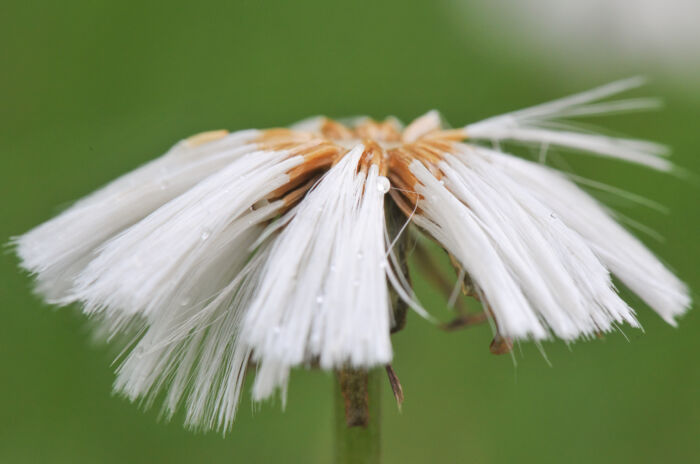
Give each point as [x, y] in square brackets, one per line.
[57, 250]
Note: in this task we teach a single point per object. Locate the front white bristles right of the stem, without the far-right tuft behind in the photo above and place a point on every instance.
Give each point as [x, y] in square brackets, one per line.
[534, 273]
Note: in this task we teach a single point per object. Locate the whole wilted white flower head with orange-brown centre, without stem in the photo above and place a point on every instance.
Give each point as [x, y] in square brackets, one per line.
[274, 248]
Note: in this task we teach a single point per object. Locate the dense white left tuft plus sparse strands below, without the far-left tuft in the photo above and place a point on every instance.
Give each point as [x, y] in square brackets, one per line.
[182, 273]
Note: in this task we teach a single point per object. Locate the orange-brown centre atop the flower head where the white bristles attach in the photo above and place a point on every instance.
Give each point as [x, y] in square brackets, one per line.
[386, 144]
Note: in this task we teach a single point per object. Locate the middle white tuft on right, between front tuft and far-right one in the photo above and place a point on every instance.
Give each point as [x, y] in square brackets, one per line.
[561, 277]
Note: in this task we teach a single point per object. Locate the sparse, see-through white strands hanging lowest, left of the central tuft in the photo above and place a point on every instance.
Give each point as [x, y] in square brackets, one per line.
[197, 355]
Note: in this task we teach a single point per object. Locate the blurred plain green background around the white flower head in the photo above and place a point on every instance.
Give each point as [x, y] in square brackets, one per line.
[91, 89]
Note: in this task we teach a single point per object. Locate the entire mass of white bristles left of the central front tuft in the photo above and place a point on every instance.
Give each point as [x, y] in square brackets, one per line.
[177, 280]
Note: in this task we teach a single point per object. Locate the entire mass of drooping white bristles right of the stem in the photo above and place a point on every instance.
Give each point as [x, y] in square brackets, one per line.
[538, 270]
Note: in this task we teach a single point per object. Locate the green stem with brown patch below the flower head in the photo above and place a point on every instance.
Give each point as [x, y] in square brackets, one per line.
[357, 416]
